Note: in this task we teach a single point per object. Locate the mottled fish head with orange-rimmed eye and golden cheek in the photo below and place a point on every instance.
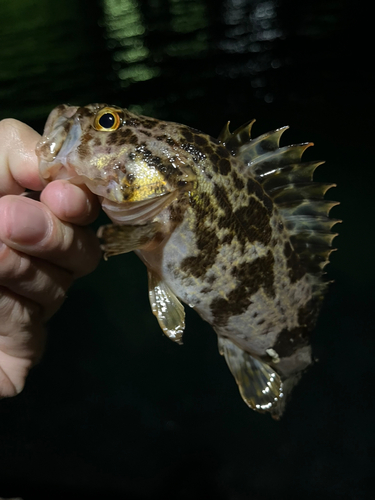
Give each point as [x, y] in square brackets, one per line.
[118, 155]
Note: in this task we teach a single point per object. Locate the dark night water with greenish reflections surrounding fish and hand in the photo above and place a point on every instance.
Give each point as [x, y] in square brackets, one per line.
[115, 410]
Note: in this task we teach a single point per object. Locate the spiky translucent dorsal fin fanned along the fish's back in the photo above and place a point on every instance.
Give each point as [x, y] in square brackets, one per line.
[289, 183]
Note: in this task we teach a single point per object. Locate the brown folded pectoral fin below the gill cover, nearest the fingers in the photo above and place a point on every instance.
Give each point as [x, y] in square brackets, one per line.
[123, 239]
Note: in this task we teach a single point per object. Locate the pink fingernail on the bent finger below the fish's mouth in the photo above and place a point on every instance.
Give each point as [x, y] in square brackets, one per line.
[27, 223]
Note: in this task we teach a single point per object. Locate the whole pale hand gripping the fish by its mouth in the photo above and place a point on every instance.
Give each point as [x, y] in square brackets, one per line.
[44, 246]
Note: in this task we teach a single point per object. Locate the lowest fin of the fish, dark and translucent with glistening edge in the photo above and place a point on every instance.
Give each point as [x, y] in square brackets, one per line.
[260, 386]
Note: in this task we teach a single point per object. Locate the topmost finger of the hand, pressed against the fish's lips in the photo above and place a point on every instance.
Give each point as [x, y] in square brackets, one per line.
[18, 161]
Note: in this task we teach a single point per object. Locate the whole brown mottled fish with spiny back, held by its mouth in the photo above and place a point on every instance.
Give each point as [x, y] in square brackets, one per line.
[234, 227]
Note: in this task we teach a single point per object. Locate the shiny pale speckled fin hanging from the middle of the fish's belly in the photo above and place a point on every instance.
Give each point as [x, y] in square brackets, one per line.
[167, 308]
